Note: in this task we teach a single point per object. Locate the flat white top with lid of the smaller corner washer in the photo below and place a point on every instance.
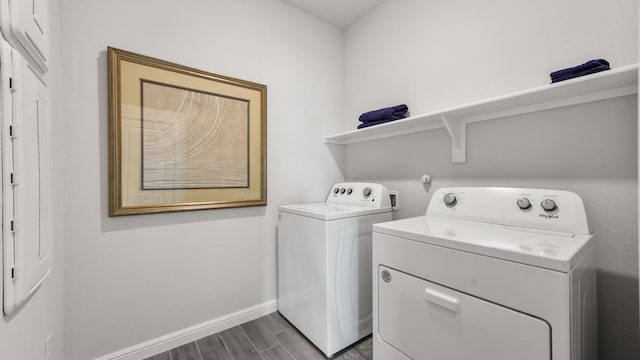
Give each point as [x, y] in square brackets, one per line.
[326, 211]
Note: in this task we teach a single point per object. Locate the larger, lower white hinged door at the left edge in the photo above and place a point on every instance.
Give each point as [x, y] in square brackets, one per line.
[26, 180]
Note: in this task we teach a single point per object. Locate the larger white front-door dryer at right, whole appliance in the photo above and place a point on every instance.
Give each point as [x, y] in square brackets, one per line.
[487, 274]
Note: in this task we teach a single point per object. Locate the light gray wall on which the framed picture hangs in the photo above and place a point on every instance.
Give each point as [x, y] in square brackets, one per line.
[134, 279]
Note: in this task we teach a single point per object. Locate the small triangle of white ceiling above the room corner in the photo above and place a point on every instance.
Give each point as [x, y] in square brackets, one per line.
[341, 13]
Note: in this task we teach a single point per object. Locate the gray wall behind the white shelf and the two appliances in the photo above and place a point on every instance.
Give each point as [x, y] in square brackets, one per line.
[439, 54]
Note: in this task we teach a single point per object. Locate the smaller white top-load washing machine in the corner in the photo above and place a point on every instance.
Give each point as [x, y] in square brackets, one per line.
[324, 264]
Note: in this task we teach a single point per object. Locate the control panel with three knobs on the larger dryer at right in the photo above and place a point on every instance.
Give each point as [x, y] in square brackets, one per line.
[553, 210]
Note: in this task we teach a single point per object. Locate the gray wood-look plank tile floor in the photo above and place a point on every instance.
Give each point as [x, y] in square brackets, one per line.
[267, 338]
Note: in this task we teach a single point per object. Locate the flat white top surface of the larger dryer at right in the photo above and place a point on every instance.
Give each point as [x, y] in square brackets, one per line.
[546, 249]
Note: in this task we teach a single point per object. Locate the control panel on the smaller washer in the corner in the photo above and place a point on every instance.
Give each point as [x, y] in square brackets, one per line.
[361, 194]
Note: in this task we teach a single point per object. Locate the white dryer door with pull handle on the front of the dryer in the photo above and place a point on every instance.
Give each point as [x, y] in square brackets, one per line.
[424, 320]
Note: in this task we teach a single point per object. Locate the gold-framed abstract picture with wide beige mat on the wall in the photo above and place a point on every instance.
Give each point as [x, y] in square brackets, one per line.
[181, 138]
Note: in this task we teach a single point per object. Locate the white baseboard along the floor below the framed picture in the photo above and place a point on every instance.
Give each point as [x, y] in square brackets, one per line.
[181, 337]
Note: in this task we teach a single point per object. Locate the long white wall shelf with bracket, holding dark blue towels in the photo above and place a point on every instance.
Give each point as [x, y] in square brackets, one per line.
[609, 84]
